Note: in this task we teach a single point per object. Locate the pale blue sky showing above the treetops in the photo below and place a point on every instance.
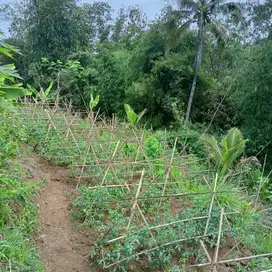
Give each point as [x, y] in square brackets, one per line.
[150, 7]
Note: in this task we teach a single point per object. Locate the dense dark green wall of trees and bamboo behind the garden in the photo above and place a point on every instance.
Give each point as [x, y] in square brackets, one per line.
[152, 65]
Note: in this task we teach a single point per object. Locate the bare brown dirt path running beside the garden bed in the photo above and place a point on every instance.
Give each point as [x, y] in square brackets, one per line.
[63, 247]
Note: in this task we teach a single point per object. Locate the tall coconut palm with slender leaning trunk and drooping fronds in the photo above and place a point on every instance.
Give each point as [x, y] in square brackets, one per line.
[202, 13]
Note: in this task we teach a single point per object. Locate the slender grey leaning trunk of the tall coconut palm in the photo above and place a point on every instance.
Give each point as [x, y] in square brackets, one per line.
[198, 62]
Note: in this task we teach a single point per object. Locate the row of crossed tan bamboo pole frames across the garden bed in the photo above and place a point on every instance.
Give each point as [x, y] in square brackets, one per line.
[107, 155]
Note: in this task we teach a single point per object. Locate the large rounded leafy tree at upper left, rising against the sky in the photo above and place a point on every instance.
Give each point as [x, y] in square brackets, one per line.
[48, 28]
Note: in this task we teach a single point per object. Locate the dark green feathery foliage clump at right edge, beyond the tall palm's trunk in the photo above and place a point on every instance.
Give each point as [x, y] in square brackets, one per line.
[252, 96]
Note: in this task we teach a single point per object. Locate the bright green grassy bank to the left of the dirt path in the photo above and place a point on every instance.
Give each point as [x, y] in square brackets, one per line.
[17, 214]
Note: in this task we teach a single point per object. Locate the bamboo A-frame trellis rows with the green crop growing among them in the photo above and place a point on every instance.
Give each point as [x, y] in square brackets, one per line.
[108, 155]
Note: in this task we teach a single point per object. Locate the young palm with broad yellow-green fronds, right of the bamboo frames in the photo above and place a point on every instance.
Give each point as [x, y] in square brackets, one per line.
[227, 152]
